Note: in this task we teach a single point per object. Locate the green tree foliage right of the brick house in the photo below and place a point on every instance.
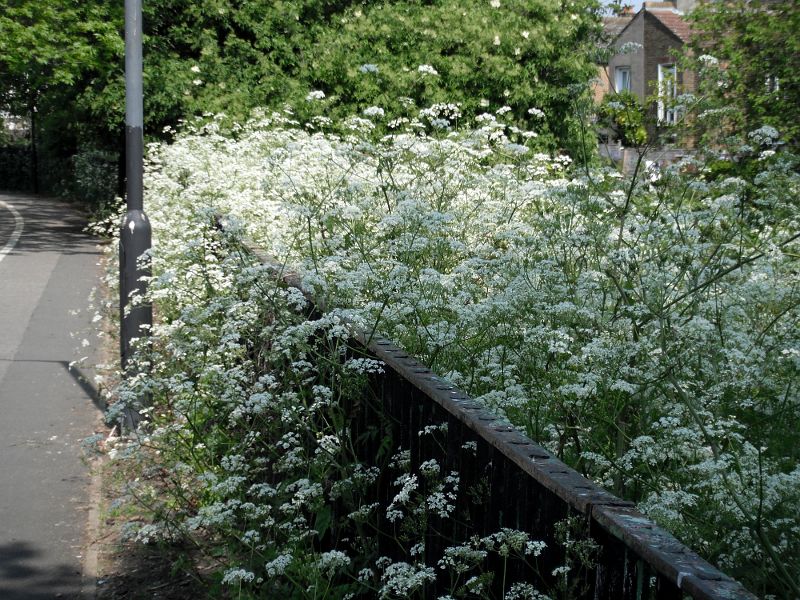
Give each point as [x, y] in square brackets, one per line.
[754, 76]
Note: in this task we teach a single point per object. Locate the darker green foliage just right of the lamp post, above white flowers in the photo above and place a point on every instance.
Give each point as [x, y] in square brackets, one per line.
[214, 56]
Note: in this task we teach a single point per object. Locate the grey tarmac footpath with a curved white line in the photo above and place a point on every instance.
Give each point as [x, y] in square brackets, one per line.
[47, 269]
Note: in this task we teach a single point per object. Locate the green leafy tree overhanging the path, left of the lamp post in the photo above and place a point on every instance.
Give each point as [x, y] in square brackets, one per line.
[50, 54]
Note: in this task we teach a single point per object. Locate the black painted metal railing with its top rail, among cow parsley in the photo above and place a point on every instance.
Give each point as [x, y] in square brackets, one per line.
[508, 481]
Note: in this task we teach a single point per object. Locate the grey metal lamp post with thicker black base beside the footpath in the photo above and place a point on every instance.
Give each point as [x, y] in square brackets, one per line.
[135, 237]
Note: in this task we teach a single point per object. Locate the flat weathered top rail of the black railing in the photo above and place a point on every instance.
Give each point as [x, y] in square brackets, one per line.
[661, 550]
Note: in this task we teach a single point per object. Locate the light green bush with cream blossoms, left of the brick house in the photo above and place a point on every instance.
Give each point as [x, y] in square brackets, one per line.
[484, 55]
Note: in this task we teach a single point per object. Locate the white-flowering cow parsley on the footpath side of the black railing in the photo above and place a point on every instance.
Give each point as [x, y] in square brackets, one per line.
[248, 449]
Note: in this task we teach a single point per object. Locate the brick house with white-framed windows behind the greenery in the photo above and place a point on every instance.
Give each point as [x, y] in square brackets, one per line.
[647, 68]
